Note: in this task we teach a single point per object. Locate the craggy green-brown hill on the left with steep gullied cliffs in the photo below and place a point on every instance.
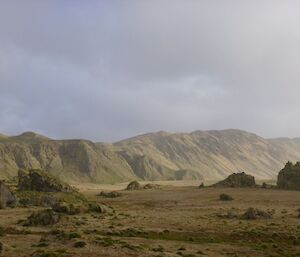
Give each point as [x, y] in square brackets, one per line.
[70, 160]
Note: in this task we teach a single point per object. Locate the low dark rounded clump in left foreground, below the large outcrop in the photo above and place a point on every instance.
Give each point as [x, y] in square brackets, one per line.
[42, 218]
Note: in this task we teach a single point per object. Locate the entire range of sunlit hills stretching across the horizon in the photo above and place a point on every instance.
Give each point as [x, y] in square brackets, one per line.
[210, 155]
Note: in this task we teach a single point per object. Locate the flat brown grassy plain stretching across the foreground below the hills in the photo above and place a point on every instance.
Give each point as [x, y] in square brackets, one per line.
[173, 221]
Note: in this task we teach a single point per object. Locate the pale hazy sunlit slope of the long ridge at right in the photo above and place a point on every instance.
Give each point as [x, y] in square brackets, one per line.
[212, 154]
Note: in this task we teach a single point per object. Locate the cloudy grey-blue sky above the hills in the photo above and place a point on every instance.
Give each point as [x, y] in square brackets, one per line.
[108, 70]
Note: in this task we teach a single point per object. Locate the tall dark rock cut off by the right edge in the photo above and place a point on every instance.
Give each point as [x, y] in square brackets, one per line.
[289, 177]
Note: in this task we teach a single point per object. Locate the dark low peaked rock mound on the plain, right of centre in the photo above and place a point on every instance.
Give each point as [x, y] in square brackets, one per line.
[237, 180]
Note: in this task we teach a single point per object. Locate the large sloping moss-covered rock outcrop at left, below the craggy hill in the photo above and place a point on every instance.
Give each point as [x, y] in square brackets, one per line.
[37, 180]
